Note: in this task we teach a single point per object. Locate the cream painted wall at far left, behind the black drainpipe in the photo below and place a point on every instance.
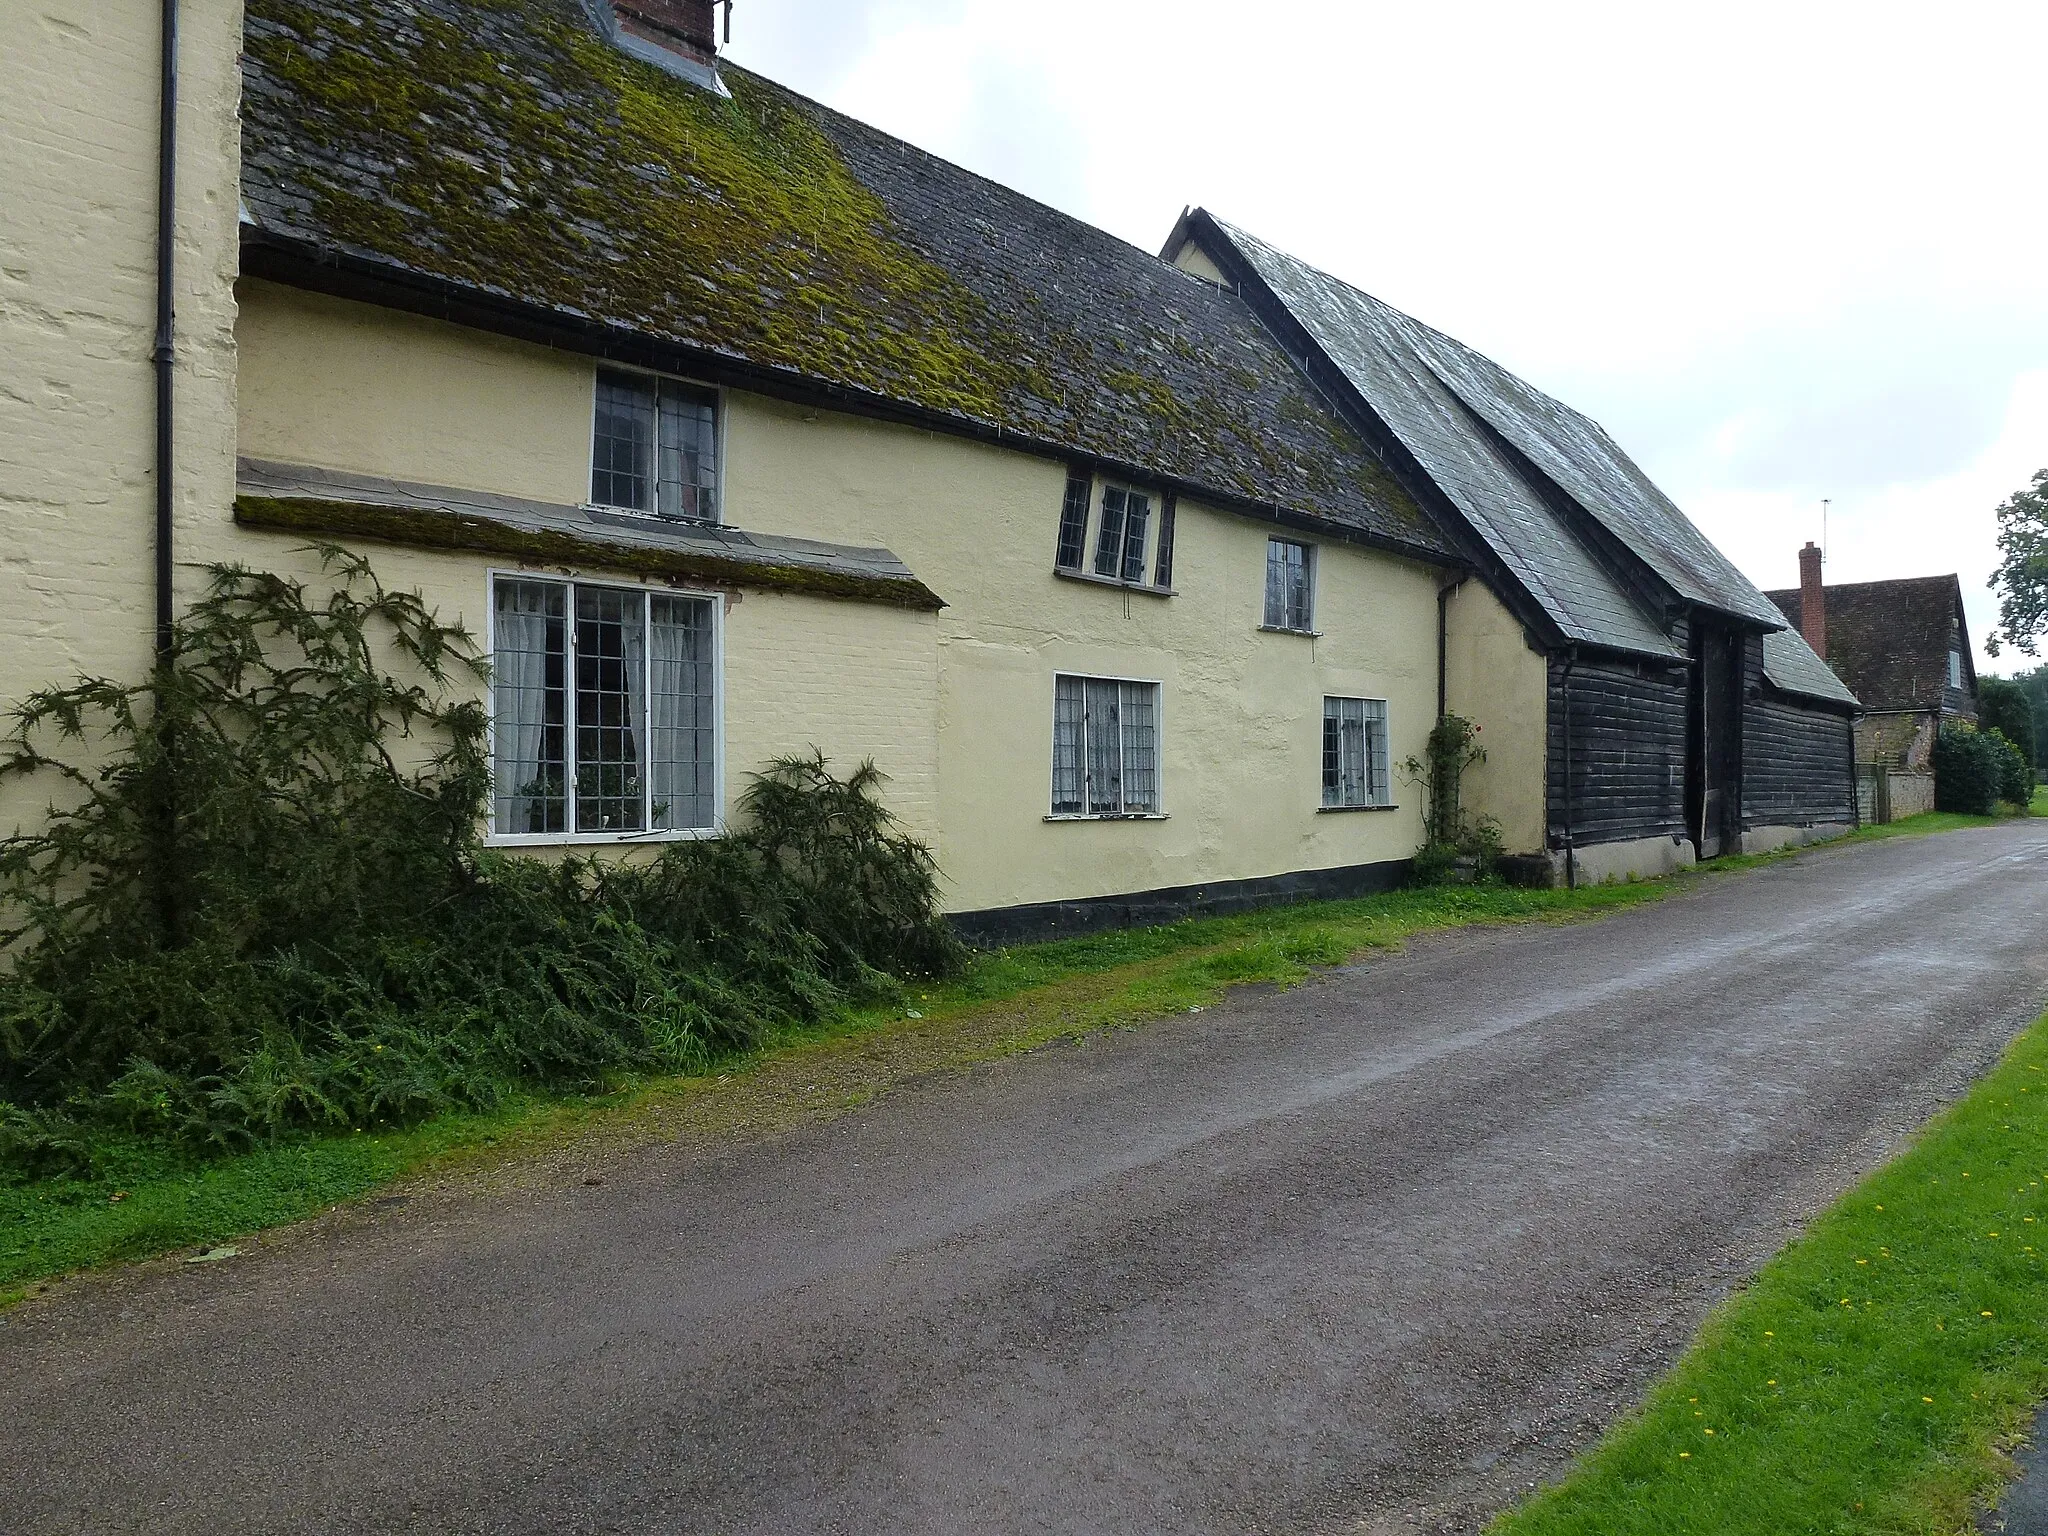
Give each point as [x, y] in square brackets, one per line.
[79, 161]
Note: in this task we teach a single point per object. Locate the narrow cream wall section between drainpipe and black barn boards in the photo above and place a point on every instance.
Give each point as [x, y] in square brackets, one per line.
[1498, 681]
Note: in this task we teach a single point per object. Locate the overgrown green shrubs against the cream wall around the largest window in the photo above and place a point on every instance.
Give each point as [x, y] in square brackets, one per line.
[271, 908]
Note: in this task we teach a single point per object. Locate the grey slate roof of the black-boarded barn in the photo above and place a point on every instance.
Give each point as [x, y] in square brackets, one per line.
[1508, 456]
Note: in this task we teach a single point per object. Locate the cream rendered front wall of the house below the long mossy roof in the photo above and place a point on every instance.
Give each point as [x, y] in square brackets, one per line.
[959, 708]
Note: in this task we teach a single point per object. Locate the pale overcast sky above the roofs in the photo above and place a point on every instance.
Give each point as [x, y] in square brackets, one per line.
[1783, 251]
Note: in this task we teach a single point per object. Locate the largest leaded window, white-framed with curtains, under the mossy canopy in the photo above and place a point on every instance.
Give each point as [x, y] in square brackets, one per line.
[603, 712]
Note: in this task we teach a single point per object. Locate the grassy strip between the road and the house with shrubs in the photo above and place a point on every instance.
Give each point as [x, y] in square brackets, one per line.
[1009, 1000]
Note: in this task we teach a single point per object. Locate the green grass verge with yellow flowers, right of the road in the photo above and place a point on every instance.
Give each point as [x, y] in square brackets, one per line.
[1873, 1373]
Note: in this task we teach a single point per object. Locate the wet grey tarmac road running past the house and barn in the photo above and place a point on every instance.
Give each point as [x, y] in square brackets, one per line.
[1363, 1256]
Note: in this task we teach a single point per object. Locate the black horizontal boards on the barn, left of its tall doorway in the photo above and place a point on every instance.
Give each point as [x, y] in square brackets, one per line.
[1627, 753]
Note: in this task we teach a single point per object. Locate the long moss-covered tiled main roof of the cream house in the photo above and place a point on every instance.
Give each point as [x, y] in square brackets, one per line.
[505, 151]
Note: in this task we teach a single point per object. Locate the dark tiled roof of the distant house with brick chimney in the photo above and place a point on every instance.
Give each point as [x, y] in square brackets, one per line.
[1889, 640]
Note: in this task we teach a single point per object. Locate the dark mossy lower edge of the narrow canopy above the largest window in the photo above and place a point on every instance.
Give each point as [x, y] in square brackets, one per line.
[423, 527]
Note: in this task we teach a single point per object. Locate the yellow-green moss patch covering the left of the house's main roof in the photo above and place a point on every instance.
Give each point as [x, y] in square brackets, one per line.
[585, 175]
